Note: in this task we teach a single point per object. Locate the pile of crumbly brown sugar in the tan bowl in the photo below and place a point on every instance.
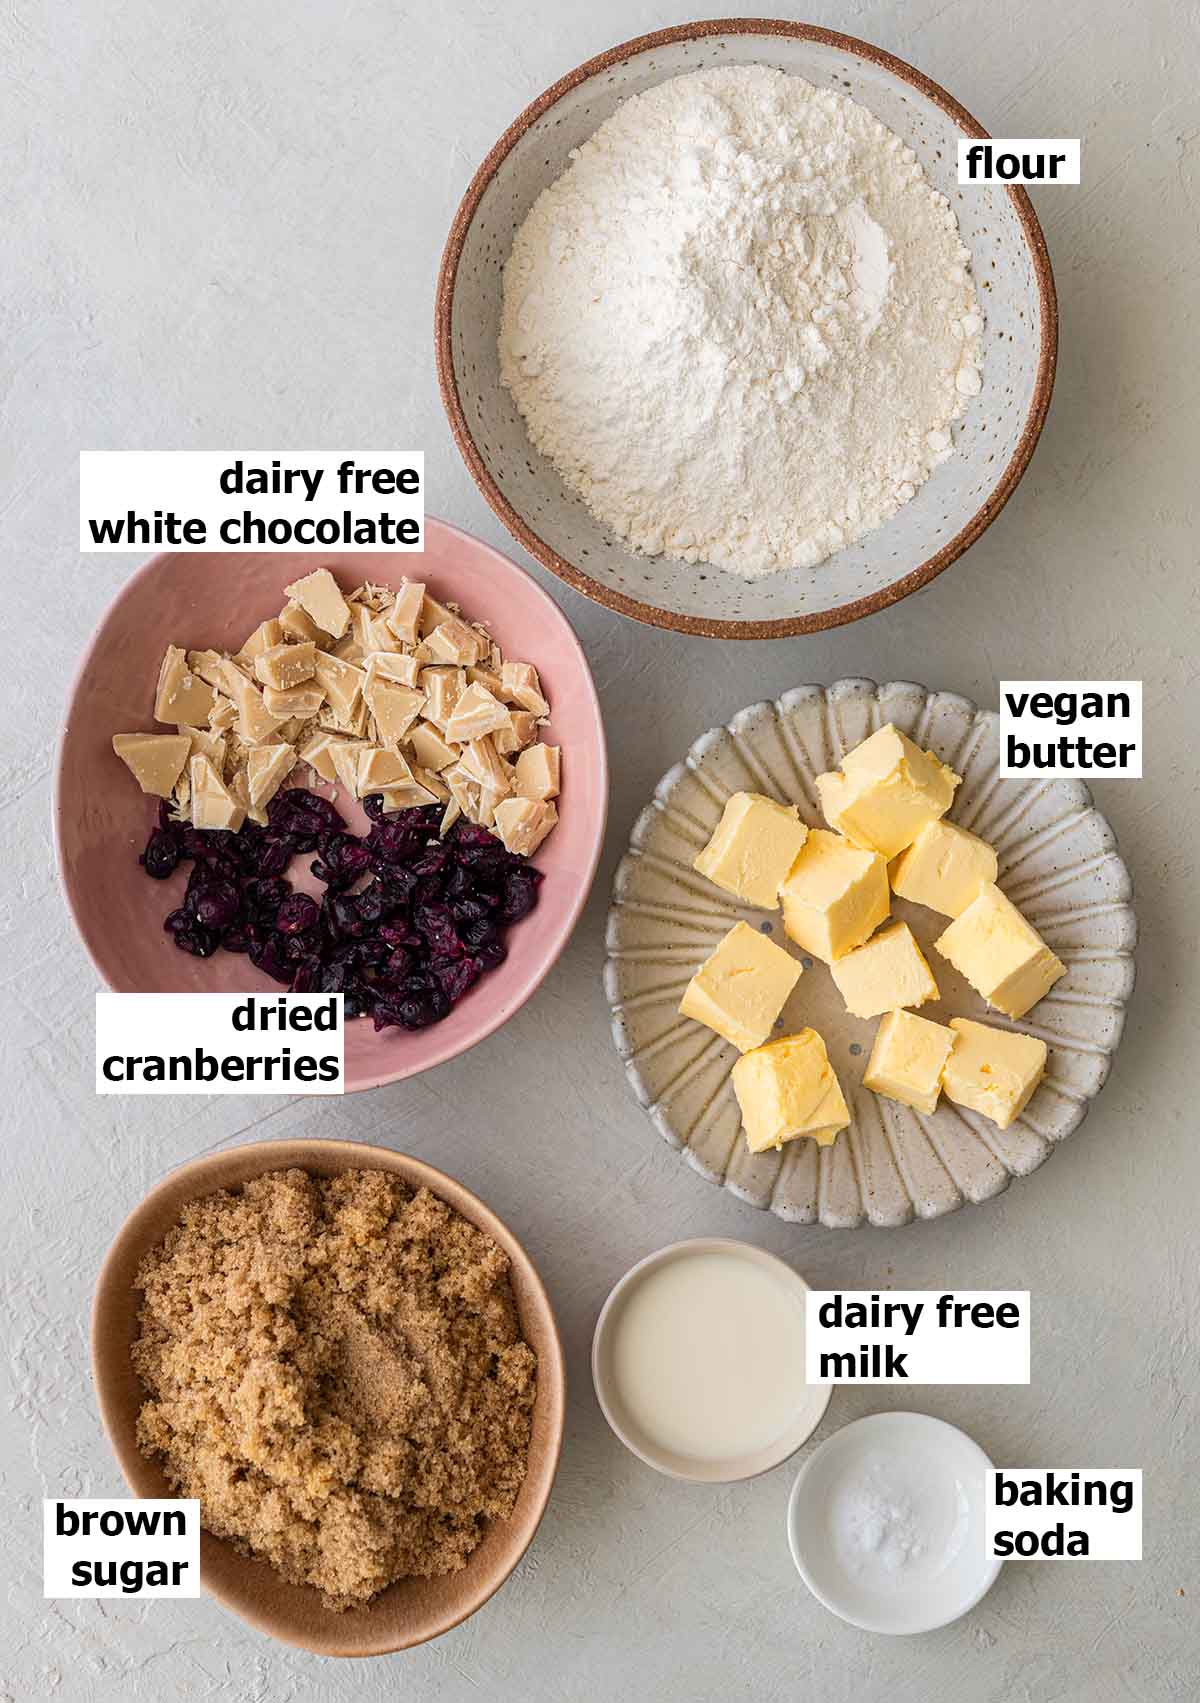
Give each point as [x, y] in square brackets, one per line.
[334, 1367]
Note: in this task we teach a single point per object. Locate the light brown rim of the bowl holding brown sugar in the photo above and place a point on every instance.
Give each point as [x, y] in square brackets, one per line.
[343, 1155]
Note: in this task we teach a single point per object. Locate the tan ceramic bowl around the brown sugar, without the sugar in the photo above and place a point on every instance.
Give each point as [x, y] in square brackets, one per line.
[413, 1610]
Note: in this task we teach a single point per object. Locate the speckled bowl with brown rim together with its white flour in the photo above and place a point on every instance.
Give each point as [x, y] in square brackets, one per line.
[728, 348]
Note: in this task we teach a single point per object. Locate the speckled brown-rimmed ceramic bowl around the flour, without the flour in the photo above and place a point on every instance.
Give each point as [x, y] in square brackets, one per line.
[995, 439]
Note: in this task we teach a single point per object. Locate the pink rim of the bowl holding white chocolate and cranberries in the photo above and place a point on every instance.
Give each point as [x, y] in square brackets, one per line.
[501, 1011]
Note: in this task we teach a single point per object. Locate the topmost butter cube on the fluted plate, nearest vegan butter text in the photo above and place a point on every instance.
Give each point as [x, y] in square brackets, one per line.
[886, 791]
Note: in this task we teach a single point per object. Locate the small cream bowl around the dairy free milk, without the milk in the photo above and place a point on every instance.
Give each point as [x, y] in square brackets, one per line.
[636, 1438]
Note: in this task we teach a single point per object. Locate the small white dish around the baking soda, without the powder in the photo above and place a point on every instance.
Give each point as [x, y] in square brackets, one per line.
[954, 1467]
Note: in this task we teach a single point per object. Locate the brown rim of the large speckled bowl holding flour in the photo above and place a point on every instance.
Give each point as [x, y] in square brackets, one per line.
[704, 628]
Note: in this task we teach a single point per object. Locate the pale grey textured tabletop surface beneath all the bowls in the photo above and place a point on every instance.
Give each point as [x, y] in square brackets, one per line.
[222, 222]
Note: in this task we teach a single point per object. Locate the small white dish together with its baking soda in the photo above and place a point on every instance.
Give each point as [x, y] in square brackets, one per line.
[886, 1523]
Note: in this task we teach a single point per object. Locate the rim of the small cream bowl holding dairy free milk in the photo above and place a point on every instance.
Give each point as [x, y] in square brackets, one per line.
[763, 1460]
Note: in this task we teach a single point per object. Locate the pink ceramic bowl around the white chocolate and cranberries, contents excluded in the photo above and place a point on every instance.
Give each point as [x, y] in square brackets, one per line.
[103, 822]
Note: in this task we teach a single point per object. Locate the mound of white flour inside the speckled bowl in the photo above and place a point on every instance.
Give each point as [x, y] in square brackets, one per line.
[741, 323]
